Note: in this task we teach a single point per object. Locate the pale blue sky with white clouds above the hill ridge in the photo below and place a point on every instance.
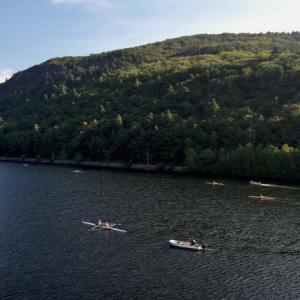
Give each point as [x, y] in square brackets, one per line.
[33, 31]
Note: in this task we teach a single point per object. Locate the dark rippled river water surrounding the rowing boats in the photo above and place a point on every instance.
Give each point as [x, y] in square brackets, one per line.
[46, 253]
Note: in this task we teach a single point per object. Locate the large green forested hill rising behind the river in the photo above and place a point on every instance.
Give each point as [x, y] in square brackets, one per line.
[220, 104]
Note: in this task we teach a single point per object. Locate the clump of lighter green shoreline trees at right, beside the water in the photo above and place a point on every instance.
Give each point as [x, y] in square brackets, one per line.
[247, 161]
